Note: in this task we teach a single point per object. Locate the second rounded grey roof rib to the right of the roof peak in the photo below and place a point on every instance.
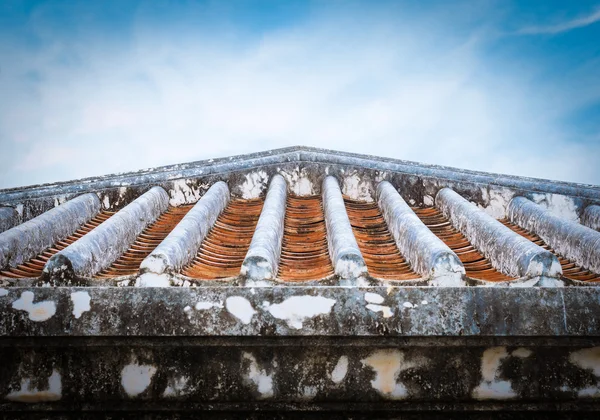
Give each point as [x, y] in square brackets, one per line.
[426, 253]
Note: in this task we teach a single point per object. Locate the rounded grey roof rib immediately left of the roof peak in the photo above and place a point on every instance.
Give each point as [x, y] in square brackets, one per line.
[262, 259]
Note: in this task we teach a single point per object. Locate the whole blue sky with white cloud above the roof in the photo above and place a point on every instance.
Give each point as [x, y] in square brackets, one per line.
[92, 88]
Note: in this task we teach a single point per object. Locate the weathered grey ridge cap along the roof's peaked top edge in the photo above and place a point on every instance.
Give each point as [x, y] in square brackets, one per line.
[300, 154]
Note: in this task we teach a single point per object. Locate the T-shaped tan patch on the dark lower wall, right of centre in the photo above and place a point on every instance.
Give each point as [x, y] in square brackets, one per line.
[387, 365]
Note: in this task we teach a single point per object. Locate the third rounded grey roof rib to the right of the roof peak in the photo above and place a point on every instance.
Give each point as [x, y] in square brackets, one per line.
[509, 252]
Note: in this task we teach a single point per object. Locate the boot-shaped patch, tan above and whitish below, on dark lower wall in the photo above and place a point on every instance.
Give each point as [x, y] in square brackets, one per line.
[491, 386]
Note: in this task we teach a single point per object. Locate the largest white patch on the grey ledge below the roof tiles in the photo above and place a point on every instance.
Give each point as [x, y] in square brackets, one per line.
[296, 309]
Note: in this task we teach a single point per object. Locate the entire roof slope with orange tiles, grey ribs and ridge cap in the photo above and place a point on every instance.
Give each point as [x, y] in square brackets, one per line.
[299, 215]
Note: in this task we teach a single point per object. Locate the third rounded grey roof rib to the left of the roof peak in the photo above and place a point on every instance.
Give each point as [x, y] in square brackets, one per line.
[102, 246]
